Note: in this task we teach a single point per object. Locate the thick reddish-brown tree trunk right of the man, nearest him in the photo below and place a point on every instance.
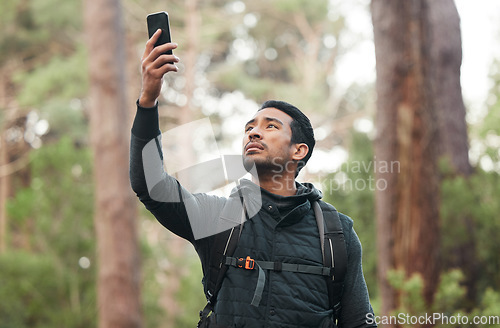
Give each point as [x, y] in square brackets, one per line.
[407, 209]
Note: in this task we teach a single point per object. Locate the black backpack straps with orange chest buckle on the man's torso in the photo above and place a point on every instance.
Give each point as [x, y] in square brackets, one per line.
[333, 248]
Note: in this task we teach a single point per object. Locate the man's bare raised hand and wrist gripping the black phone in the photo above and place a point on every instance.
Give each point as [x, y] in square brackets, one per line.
[154, 66]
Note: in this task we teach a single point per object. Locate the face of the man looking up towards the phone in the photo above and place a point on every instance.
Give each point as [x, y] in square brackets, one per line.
[267, 141]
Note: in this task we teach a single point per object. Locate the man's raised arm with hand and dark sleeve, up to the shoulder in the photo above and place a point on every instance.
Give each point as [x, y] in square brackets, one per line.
[191, 216]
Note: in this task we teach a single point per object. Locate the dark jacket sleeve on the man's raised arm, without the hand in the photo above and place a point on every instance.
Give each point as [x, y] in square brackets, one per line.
[187, 215]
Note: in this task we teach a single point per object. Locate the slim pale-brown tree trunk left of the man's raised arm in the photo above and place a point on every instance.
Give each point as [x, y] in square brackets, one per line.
[118, 295]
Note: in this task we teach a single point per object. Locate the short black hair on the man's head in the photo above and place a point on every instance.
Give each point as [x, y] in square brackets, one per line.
[302, 131]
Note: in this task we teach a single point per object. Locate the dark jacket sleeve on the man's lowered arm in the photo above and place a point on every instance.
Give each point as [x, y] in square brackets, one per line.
[355, 302]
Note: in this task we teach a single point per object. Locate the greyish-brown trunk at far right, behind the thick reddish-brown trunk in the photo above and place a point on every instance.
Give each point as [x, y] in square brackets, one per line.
[446, 56]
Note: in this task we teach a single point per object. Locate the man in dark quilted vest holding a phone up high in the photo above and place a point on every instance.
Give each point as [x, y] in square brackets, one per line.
[280, 226]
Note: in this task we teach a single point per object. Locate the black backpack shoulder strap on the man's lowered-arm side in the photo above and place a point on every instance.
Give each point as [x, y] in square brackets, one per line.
[334, 250]
